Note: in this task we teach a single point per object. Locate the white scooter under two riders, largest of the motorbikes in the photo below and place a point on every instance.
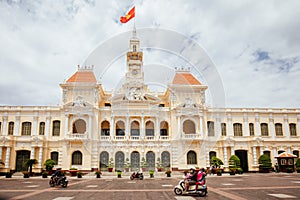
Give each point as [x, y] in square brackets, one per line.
[201, 189]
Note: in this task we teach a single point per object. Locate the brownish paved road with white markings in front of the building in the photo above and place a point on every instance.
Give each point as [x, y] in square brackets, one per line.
[238, 187]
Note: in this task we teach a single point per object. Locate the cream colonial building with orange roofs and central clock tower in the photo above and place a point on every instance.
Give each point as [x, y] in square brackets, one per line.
[93, 126]
